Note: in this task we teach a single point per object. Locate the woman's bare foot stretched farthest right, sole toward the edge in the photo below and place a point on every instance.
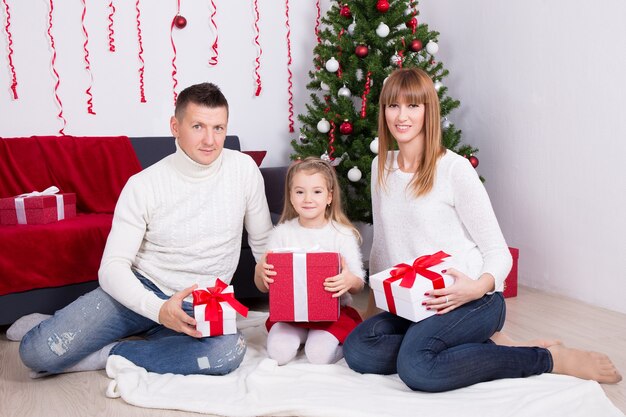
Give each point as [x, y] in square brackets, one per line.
[583, 364]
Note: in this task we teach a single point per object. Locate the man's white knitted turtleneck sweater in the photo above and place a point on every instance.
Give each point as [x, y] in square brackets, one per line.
[179, 223]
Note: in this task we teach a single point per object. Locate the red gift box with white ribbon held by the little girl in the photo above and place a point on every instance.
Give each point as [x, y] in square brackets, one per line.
[297, 293]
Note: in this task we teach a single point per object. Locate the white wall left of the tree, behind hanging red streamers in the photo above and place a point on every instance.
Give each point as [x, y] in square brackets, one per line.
[261, 122]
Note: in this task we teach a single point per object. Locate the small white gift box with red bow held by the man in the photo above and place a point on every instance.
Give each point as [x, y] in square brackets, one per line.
[215, 309]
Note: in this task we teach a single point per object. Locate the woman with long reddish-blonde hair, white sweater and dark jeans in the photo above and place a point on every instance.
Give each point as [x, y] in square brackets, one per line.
[424, 199]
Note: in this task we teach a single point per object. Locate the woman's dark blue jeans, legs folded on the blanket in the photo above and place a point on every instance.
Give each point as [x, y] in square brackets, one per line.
[443, 352]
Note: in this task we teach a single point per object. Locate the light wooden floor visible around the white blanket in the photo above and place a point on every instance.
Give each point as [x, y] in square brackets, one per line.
[530, 315]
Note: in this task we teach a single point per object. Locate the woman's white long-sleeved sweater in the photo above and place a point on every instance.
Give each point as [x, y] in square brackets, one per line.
[455, 216]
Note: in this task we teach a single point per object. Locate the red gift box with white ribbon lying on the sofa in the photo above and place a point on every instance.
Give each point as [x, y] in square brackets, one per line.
[37, 207]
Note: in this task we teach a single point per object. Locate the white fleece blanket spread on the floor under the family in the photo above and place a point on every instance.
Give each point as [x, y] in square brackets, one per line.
[259, 387]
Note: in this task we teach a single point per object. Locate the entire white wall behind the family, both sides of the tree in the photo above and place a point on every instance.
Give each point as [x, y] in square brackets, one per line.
[541, 85]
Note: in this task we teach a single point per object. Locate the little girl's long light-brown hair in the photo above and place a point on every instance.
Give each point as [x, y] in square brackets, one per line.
[334, 211]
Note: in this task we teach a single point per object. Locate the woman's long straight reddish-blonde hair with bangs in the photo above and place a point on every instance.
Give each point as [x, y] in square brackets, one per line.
[412, 86]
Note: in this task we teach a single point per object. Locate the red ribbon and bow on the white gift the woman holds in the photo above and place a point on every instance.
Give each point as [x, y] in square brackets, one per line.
[407, 274]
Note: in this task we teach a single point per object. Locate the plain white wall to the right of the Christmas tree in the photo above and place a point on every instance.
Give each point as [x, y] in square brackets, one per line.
[542, 93]
